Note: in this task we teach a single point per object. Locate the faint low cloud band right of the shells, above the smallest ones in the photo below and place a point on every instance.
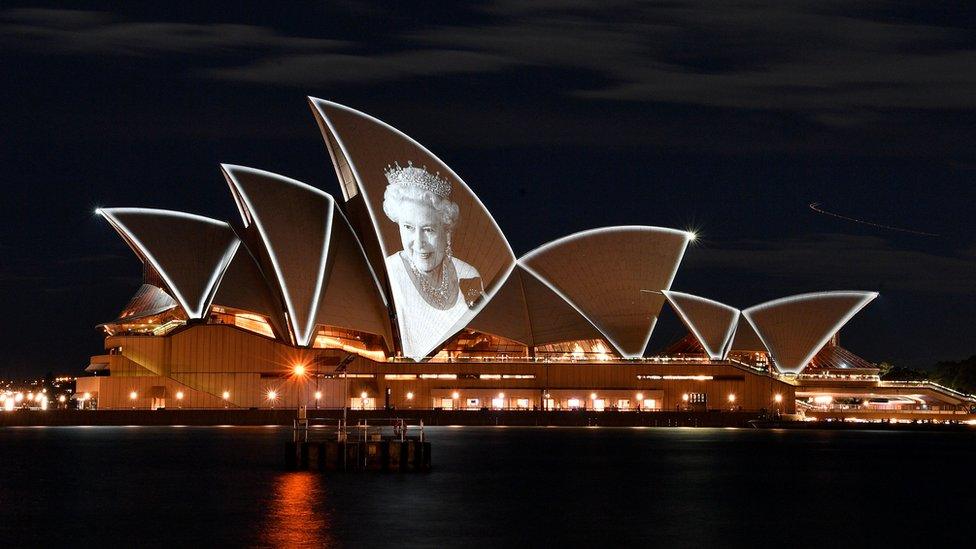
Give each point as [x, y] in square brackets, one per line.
[840, 262]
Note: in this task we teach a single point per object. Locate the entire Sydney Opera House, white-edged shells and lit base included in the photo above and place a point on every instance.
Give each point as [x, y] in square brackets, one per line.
[405, 293]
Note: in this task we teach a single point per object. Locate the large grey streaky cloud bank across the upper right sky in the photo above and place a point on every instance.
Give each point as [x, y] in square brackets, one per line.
[781, 57]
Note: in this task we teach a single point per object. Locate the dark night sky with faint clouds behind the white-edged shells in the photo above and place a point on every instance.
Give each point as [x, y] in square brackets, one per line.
[561, 115]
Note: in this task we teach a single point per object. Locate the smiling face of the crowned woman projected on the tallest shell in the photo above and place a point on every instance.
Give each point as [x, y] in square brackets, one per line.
[422, 234]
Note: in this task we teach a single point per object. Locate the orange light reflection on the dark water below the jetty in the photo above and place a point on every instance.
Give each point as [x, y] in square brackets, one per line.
[297, 515]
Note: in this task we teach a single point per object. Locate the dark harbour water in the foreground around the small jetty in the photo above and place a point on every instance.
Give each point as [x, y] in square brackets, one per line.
[491, 487]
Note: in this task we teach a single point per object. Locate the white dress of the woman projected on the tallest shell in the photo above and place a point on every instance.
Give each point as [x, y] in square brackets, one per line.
[423, 327]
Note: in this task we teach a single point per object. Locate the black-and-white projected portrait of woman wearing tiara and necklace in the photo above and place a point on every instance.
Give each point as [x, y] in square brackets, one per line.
[432, 288]
